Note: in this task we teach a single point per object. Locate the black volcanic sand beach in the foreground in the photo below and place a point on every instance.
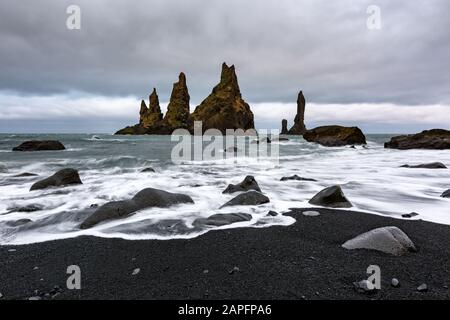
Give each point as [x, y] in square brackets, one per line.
[302, 261]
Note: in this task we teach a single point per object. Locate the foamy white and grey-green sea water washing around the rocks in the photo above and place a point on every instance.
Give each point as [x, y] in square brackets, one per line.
[110, 168]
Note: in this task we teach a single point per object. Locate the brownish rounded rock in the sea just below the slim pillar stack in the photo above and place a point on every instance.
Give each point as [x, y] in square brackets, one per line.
[335, 136]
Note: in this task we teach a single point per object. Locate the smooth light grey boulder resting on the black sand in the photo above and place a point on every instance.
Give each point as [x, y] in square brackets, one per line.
[389, 240]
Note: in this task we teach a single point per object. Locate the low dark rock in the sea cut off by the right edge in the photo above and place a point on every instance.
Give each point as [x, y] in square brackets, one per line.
[428, 139]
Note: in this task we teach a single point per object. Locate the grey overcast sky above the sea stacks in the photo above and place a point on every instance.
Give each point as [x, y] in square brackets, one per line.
[396, 79]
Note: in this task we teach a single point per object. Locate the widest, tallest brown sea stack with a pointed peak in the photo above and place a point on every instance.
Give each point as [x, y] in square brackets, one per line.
[224, 108]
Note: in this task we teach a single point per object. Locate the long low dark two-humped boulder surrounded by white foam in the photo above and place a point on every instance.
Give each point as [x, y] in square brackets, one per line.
[146, 198]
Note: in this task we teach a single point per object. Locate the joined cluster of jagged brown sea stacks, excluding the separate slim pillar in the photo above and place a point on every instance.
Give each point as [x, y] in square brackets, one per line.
[223, 109]
